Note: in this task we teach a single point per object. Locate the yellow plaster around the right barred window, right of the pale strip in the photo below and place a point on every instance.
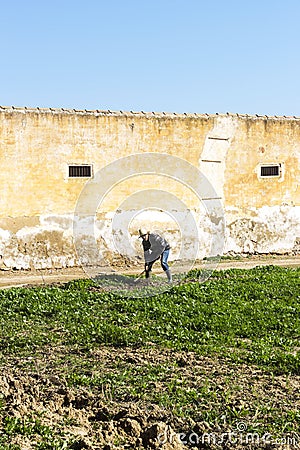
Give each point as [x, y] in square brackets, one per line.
[263, 141]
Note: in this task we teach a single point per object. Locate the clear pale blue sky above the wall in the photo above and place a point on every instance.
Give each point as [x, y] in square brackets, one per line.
[152, 55]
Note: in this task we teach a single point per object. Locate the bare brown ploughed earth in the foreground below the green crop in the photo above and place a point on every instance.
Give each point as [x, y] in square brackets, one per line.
[109, 416]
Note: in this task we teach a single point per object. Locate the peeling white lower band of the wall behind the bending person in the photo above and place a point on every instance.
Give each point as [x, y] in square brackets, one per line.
[51, 243]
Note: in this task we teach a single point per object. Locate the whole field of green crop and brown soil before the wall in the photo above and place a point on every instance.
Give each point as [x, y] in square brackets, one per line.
[83, 368]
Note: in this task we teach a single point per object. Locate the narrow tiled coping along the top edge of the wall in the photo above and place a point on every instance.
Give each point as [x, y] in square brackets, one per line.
[98, 112]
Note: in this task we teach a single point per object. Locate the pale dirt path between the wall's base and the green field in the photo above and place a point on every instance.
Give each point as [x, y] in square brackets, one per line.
[14, 278]
